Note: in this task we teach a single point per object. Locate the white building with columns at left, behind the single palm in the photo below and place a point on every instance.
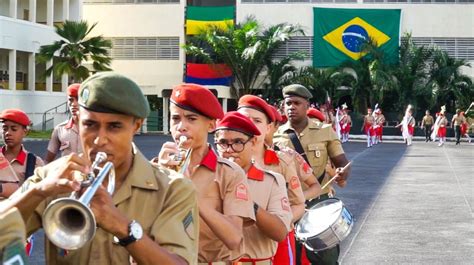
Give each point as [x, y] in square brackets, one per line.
[25, 25]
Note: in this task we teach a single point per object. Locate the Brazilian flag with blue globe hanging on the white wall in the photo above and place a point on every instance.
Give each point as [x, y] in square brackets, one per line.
[339, 34]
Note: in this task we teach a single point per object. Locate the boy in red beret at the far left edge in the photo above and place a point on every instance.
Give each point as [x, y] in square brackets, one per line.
[13, 155]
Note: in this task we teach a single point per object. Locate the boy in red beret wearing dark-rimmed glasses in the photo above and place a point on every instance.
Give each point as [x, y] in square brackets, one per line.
[236, 139]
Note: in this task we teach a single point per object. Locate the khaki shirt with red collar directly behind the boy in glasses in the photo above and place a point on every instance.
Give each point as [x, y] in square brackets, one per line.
[283, 164]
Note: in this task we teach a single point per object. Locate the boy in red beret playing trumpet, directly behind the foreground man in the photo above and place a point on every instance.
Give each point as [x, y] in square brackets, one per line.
[221, 185]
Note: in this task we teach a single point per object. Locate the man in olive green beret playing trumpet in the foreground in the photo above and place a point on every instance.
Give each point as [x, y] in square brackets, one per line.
[151, 218]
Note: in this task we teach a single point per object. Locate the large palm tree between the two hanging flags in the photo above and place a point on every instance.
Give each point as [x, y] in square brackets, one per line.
[245, 48]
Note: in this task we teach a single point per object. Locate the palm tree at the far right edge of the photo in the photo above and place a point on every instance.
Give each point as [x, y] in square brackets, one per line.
[449, 85]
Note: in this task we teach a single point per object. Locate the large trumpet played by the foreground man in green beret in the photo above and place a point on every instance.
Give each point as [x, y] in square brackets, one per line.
[69, 222]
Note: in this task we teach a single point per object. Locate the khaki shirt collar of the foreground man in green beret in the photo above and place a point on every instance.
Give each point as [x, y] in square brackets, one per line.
[141, 175]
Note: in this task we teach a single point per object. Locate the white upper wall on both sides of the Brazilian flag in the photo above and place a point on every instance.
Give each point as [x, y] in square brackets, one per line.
[423, 20]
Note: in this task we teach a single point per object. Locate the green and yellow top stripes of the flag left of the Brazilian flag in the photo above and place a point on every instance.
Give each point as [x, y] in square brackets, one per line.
[200, 17]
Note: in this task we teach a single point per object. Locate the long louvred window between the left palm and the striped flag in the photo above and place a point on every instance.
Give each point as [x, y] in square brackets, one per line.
[145, 48]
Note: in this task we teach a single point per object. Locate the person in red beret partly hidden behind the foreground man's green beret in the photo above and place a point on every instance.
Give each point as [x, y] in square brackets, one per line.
[65, 136]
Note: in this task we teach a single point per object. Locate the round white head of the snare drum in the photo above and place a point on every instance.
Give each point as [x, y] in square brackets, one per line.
[319, 218]
